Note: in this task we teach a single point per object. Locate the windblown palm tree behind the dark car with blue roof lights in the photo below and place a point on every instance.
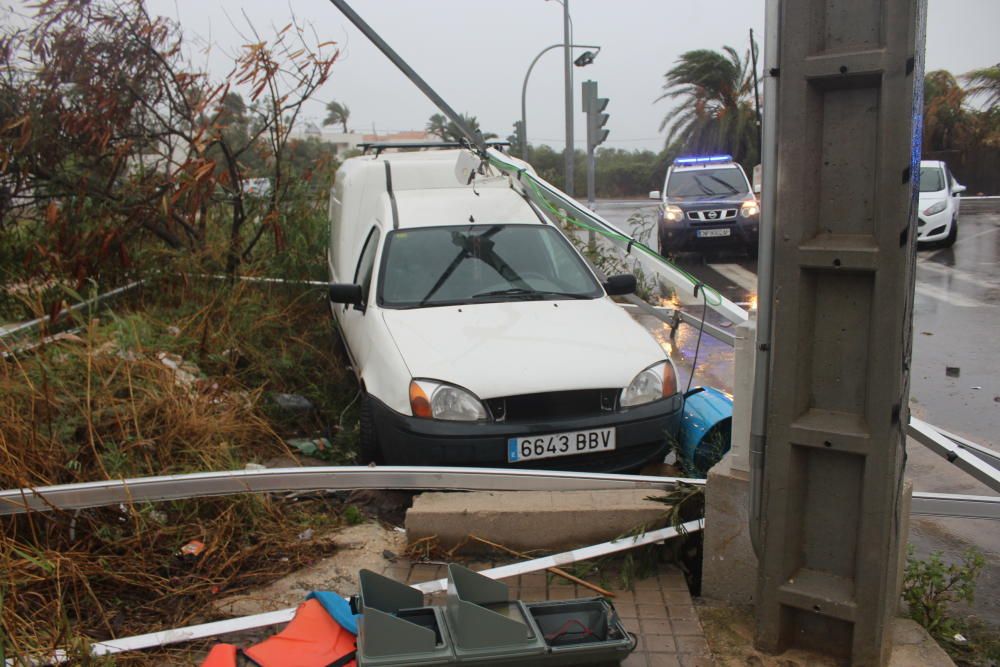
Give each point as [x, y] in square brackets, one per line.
[717, 112]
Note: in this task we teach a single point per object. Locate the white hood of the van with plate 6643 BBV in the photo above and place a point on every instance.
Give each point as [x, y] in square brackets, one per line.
[524, 347]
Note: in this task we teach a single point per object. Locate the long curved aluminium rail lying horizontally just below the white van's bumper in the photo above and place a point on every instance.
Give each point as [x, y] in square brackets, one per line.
[68, 497]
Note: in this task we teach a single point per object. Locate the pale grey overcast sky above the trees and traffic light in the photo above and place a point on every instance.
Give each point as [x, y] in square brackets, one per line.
[475, 54]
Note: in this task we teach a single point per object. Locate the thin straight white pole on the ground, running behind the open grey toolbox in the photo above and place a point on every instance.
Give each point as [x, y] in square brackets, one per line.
[192, 632]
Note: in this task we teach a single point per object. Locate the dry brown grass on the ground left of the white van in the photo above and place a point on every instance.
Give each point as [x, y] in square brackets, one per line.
[178, 385]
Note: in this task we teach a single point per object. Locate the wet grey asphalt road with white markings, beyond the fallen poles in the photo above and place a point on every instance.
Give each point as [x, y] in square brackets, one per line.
[955, 323]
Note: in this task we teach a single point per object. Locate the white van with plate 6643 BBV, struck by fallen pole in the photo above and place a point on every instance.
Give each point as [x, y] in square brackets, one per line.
[479, 335]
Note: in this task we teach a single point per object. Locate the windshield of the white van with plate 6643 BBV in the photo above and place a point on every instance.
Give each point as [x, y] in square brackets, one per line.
[437, 266]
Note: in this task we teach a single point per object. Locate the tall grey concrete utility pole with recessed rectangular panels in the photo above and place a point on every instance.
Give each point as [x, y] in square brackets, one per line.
[834, 515]
